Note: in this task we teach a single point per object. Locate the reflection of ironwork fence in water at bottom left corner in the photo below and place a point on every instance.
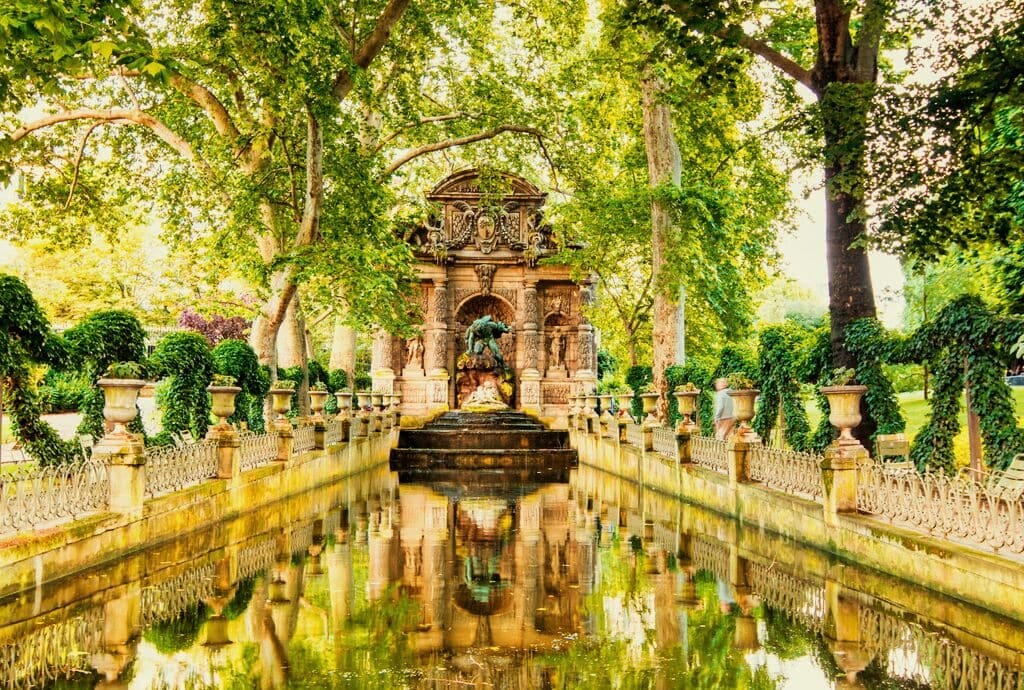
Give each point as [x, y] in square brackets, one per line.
[54, 653]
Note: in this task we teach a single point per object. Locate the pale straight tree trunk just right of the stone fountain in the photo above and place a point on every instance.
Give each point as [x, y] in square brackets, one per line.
[664, 166]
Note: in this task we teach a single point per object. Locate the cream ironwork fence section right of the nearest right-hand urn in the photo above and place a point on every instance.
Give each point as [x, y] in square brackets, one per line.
[948, 507]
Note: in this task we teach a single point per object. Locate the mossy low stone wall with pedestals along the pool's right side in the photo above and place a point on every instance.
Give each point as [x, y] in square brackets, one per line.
[990, 580]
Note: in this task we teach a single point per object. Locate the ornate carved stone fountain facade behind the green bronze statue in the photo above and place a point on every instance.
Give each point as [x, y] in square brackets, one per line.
[480, 254]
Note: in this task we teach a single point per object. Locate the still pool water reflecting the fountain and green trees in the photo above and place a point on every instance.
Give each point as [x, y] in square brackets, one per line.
[590, 584]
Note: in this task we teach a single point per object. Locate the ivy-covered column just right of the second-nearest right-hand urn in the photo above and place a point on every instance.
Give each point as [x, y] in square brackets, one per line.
[778, 361]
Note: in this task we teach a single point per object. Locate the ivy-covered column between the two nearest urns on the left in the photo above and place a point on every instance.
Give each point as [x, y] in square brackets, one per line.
[187, 360]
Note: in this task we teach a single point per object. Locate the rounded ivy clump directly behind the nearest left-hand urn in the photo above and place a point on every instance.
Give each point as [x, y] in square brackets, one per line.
[97, 342]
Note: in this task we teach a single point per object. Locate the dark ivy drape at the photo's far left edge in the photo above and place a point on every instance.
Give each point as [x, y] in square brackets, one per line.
[26, 341]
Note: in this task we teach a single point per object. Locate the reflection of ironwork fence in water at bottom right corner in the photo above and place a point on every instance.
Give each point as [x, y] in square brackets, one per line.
[909, 652]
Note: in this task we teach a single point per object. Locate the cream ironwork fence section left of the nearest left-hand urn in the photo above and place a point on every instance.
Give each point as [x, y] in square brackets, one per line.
[32, 496]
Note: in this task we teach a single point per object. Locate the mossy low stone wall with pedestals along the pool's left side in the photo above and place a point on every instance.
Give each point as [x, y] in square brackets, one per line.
[31, 558]
